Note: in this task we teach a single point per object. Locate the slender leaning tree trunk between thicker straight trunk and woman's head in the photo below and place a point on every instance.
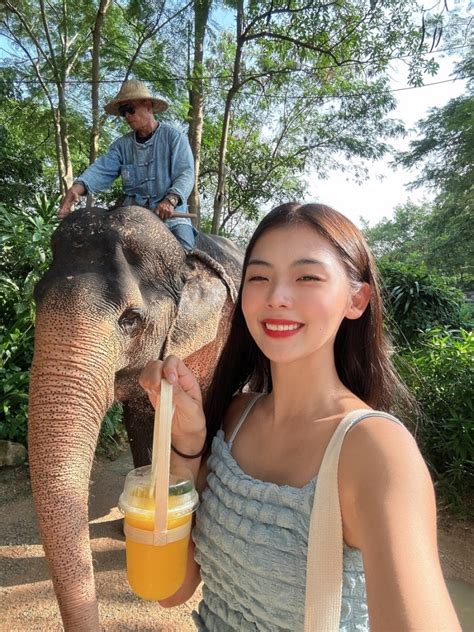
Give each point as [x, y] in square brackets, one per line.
[220, 192]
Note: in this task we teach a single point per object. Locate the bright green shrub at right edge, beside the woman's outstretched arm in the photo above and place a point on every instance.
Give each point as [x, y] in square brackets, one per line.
[440, 373]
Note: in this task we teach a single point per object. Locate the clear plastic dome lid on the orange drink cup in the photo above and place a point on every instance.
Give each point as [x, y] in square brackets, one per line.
[135, 498]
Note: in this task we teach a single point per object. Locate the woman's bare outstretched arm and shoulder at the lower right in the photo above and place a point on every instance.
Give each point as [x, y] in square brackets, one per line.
[389, 513]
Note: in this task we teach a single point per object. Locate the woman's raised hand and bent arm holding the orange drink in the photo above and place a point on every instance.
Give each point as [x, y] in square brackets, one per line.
[188, 435]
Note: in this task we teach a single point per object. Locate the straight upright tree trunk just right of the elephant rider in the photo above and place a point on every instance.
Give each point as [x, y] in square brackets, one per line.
[201, 14]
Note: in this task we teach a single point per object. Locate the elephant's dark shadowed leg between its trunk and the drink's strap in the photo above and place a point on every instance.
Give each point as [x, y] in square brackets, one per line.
[138, 416]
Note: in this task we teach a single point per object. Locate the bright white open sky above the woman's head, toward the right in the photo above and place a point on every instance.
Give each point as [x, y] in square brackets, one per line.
[386, 188]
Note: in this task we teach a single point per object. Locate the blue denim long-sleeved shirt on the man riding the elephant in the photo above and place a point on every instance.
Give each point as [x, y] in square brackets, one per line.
[163, 164]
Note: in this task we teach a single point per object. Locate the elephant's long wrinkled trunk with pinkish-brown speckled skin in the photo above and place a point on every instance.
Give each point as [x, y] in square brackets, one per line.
[71, 388]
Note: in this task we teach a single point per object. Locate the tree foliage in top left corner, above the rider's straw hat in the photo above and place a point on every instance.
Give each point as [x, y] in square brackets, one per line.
[60, 47]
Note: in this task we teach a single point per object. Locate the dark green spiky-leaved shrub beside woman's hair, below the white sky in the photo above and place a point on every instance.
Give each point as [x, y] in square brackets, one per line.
[417, 301]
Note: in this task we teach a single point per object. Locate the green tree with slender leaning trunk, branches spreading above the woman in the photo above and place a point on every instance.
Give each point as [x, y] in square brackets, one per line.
[317, 69]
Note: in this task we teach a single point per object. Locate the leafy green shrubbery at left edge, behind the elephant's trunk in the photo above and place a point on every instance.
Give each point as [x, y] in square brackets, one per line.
[25, 235]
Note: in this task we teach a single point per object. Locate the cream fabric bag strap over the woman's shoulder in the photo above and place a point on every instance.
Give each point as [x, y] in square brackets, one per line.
[325, 539]
